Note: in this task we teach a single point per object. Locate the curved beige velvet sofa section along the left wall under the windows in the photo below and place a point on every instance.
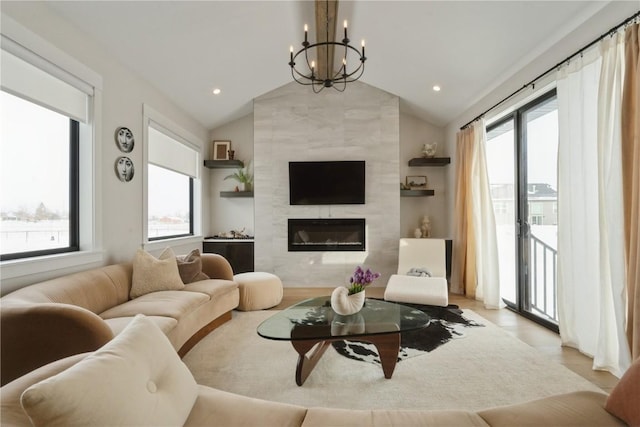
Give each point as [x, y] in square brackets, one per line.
[83, 311]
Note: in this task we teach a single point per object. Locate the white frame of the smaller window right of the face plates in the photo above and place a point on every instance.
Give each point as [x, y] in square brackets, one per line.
[185, 137]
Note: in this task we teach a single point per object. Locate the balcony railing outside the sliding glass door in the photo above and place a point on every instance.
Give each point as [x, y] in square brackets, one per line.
[544, 279]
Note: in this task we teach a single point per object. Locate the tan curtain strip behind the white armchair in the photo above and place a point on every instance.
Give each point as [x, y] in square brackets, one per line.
[463, 280]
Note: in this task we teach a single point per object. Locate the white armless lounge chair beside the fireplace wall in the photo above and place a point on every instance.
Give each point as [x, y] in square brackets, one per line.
[418, 255]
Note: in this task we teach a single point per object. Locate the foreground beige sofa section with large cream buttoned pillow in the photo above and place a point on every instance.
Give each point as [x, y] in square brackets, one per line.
[150, 386]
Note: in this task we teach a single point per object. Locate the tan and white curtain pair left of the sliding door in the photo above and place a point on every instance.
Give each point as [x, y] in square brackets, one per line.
[477, 247]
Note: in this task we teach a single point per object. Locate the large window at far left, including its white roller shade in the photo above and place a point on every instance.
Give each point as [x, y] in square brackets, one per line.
[42, 119]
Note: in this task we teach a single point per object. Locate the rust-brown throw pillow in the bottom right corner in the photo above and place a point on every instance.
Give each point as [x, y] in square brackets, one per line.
[624, 400]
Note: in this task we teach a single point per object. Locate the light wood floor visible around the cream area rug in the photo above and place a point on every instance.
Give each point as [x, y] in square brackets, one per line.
[536, 336]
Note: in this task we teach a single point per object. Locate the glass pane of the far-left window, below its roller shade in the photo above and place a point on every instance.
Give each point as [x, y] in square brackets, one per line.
[38, 211]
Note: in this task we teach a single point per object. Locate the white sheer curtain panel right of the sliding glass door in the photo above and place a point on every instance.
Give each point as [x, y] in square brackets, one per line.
[590, 236]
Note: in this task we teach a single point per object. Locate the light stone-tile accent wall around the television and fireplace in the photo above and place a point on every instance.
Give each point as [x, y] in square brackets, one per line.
[292, 123]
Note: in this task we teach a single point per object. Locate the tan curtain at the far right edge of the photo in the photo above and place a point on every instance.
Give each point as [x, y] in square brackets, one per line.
[631, 182]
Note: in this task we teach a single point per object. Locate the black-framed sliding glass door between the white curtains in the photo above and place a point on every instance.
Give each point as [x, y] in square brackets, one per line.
[522, 162]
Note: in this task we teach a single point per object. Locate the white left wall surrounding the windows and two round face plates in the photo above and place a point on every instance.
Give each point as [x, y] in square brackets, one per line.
[124, 93]
